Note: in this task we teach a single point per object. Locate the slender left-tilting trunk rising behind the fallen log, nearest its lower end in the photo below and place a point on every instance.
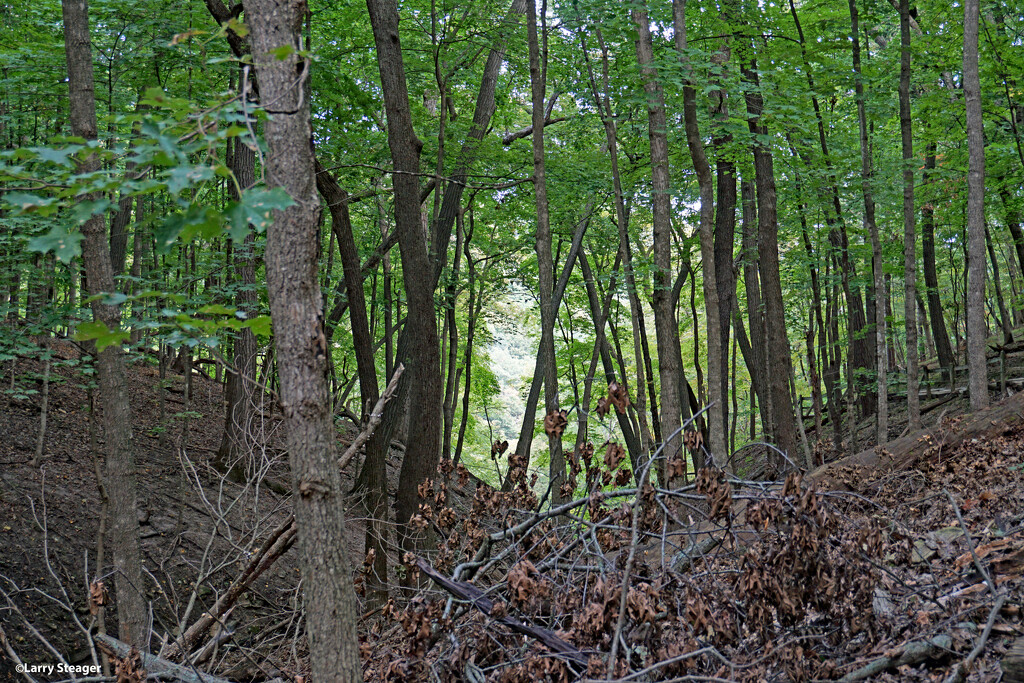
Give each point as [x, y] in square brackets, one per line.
[881, 359]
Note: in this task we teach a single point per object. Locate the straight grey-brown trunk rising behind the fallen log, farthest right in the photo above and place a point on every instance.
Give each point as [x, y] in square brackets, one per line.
[976, 332]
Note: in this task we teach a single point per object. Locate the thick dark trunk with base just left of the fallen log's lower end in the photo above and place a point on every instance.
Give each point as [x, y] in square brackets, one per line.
[778, 346]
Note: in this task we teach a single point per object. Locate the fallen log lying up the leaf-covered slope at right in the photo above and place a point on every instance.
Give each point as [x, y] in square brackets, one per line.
[903, 453]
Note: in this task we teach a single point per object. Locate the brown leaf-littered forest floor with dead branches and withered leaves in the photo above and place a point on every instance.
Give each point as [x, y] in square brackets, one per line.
[906, 573]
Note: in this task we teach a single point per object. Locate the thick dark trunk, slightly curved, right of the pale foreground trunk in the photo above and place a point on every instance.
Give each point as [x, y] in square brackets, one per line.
[419, 346]
